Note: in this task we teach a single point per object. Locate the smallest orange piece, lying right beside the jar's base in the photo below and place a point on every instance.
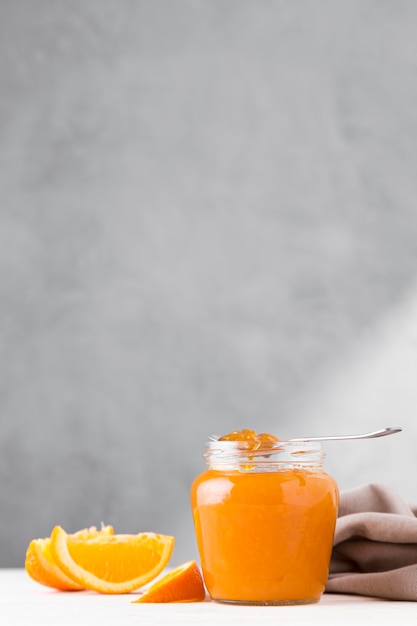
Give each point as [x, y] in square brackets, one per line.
[182, 584]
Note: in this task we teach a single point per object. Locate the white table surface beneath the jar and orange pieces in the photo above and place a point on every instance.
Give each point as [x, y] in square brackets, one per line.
[22, 601]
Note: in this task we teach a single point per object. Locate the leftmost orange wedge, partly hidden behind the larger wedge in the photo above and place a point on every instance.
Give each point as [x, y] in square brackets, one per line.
[41, 566]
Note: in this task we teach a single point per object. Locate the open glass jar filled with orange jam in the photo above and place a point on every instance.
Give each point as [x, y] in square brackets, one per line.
[264, 514]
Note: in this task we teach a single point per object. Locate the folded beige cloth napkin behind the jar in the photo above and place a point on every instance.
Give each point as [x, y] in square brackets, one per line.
[375, 545]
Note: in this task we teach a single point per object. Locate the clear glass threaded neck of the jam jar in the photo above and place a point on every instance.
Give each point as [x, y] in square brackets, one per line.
[281, 456]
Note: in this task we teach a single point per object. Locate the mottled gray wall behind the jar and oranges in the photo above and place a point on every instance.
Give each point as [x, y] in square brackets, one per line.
[207, 220]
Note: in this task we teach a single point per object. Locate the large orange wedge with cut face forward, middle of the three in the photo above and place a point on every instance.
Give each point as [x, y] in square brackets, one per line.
[112, 563]
